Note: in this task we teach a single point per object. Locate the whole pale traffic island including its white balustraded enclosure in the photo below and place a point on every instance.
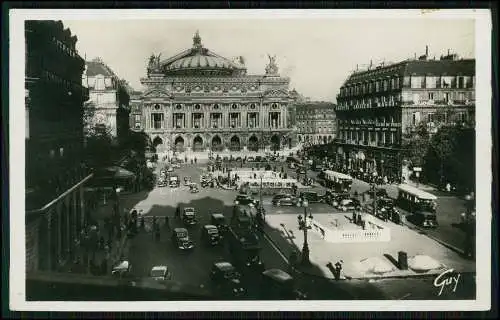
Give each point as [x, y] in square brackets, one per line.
[363, 254]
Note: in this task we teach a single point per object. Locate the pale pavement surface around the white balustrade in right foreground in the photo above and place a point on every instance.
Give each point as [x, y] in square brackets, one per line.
[283, 231]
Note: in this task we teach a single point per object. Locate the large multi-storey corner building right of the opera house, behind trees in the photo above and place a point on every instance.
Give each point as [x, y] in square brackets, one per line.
[378, 109]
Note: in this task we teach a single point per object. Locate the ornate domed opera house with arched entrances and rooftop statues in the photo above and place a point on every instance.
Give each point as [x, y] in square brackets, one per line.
[198, 101]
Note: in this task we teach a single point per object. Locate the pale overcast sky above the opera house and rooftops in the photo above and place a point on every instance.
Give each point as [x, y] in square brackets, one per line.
[317, 54]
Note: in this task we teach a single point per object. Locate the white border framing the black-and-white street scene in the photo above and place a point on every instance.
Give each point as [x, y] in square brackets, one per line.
[483, 28]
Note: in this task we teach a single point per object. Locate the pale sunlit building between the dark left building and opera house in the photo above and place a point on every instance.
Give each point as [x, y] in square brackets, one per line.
[108, 107]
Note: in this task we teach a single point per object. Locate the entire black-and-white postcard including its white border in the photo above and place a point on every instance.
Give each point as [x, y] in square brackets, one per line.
[247, 158]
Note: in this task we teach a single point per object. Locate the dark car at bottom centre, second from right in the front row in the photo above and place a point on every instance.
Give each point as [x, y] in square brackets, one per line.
[227, 280]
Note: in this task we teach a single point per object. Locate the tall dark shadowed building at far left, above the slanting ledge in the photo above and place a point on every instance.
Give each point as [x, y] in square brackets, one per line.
[55, 99]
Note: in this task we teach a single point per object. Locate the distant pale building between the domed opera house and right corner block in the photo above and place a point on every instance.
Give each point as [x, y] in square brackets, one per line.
[316, 122]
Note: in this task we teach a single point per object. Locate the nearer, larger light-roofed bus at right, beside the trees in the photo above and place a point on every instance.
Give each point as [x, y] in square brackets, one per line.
[419, 203]
